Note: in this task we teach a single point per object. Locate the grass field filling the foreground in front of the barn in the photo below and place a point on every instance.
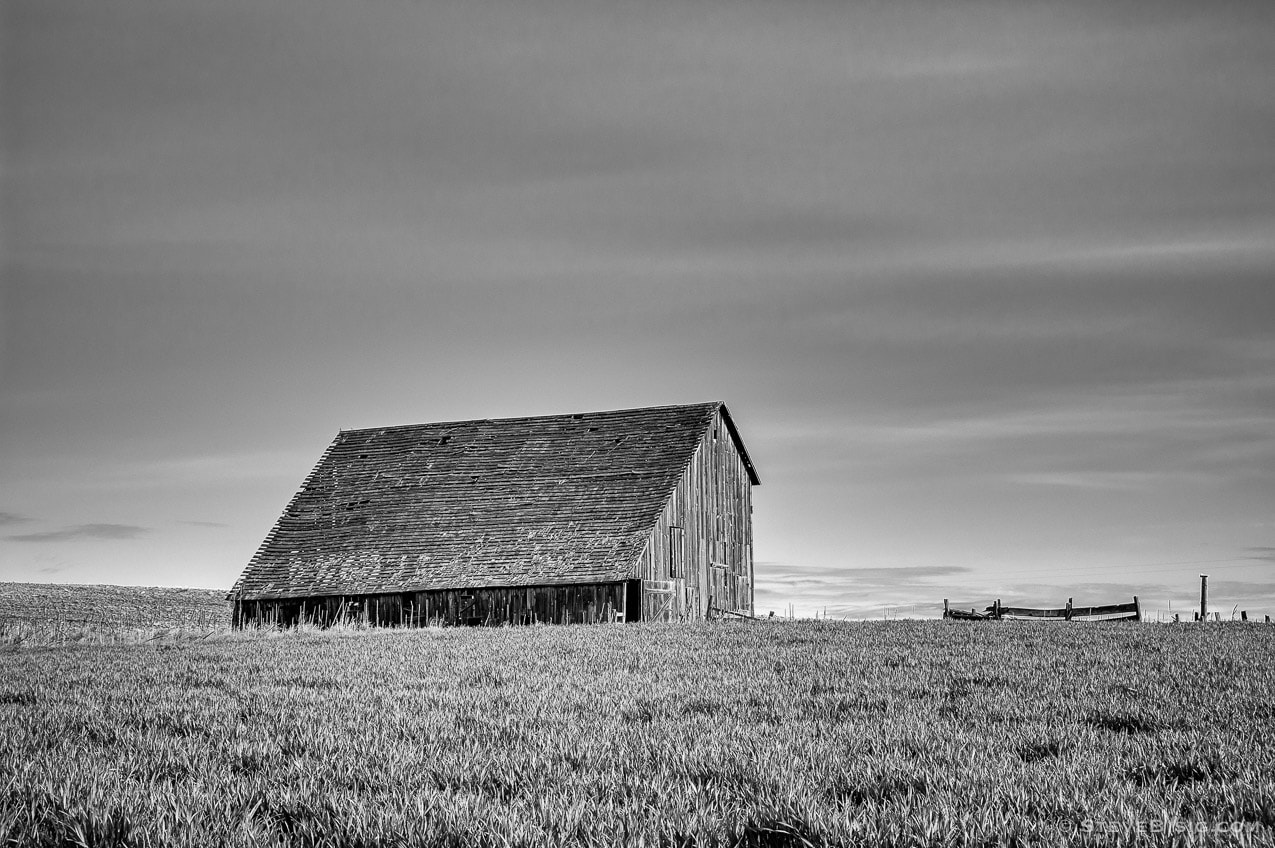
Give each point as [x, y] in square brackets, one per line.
[755, 734]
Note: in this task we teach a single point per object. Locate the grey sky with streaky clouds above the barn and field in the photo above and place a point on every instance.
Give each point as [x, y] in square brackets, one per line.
[989, 288]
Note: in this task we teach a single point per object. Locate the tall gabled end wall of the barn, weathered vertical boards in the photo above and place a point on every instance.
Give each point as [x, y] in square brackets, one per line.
[699, 560]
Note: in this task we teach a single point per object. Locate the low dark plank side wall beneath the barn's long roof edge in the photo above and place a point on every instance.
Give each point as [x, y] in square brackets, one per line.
[583, 604]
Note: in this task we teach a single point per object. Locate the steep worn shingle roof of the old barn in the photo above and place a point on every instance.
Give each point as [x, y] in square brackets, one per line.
[514, 502]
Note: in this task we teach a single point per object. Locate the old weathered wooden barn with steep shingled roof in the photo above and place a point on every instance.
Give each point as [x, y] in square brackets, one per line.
[625, 516]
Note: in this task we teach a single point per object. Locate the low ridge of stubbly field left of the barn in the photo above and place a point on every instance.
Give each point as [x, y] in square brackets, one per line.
[112, 606]
